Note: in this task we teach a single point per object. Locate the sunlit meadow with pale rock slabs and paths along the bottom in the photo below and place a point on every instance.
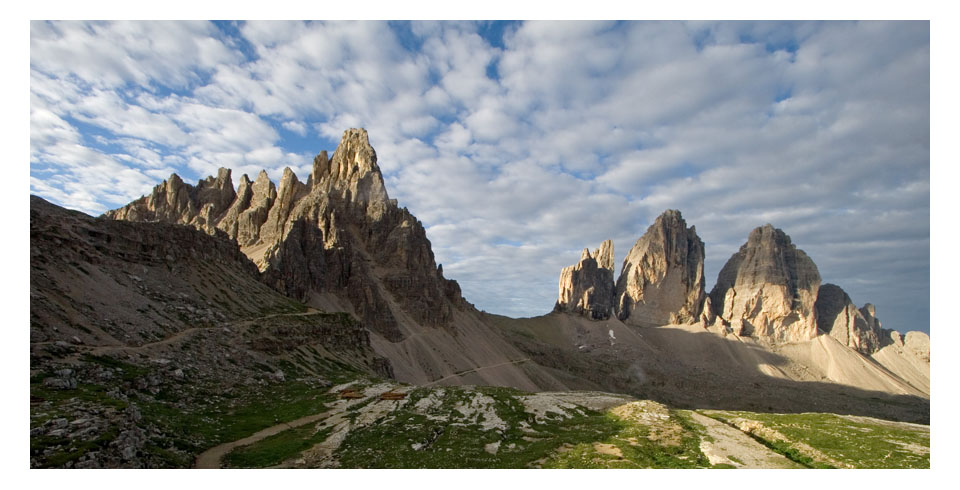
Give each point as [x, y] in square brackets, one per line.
[485, 427]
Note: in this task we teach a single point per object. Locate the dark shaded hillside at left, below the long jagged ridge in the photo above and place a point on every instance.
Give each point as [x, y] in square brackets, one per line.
[152, 341]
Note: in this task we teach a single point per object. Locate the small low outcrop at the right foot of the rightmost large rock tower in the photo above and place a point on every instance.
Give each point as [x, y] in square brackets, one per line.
[838, 317]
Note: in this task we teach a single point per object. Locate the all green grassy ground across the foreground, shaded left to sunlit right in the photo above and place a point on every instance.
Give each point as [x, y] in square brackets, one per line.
[443, 427]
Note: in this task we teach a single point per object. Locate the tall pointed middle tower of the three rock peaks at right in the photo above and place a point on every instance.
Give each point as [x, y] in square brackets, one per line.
[661, 280]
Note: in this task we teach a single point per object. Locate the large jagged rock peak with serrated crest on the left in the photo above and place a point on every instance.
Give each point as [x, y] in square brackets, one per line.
[337, 234]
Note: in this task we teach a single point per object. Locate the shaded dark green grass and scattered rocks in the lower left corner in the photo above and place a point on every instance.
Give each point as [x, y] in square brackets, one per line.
[170, 425]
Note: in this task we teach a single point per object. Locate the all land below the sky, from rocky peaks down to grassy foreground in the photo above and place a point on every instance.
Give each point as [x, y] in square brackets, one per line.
[308, 325]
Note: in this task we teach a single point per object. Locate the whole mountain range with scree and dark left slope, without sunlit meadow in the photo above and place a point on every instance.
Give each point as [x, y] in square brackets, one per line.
[212, 299]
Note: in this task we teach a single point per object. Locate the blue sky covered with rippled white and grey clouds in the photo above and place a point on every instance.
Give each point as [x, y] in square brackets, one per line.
[519, 144]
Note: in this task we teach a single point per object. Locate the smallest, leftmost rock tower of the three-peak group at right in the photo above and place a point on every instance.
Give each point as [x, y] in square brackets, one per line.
[587, 287]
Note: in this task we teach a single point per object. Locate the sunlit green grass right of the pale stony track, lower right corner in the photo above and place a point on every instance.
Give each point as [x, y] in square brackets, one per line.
[838, 441]
